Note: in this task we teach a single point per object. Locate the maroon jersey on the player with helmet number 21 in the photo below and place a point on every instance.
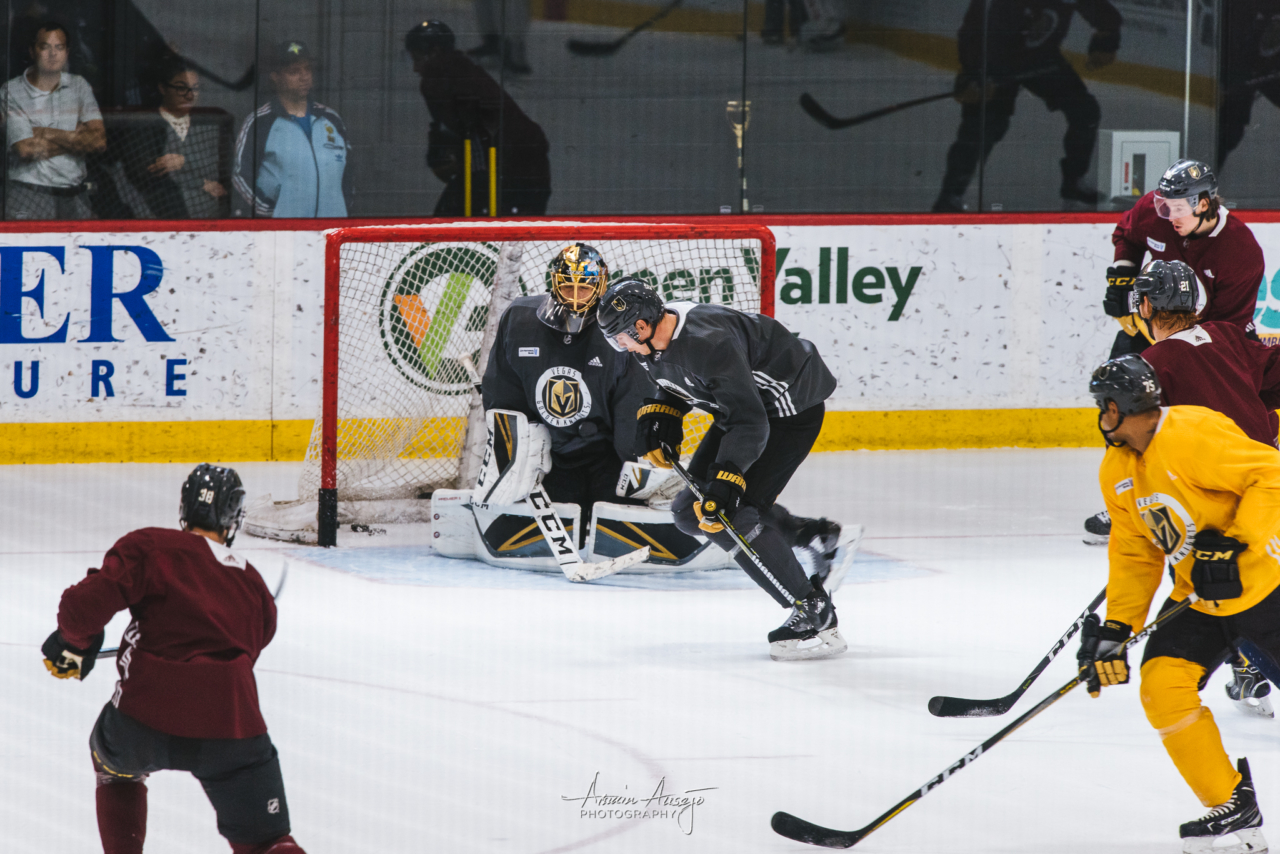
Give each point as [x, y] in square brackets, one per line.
[1217, 367]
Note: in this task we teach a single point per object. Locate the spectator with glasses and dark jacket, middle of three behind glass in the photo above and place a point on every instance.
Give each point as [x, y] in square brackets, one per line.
[175, 159]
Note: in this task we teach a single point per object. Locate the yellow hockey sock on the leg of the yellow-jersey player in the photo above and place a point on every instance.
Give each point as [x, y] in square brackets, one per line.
[1191, 737]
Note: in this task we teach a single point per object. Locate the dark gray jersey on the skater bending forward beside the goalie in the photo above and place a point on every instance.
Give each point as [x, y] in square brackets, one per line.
[742, 368]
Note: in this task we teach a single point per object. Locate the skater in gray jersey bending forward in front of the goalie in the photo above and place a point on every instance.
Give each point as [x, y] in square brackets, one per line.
[766, 390]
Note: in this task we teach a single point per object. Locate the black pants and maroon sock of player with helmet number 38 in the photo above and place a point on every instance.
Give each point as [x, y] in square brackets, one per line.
[240, 777]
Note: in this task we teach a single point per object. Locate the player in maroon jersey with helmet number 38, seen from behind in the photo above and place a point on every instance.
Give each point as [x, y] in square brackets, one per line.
[186, 700]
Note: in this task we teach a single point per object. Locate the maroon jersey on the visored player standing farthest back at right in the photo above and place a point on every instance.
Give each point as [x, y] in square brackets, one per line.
[1228, 262]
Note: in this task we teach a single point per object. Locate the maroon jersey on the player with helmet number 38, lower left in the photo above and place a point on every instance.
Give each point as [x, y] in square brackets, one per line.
[202, 616]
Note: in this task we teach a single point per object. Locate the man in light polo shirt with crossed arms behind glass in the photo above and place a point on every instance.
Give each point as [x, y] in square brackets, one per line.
[52, 124]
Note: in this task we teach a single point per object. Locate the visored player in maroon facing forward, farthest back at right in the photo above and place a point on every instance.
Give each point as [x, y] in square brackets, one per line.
[1185, 221]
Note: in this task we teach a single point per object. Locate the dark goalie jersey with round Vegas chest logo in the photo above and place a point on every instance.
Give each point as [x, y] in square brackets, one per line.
[583, 390]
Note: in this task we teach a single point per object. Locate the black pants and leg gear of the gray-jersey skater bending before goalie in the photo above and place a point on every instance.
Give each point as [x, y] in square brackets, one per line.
[769, 528]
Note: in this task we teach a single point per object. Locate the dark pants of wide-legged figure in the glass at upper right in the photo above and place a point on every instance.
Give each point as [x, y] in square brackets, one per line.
[986, 125]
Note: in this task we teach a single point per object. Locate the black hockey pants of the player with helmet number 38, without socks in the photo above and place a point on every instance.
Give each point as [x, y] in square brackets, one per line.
[241, 777]
